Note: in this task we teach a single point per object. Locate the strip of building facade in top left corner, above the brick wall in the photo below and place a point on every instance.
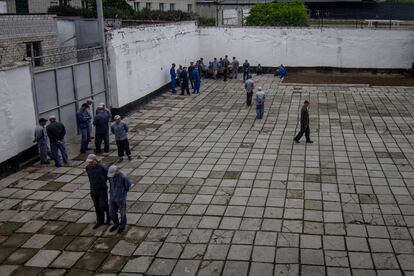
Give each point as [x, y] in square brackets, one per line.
[36, 6]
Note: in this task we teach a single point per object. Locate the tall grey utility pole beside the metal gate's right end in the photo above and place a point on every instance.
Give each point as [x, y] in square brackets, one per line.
[101, 31]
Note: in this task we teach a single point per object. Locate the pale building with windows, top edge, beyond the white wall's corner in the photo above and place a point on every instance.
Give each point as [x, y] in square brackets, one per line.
[164, 5]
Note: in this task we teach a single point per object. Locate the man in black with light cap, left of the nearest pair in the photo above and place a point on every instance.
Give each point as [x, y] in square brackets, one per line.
[97, 175]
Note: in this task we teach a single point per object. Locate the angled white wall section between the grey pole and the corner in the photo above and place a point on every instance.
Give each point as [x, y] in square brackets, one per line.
[140, 58]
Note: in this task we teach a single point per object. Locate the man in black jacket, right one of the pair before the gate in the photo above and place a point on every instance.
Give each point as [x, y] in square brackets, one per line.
[56, 132]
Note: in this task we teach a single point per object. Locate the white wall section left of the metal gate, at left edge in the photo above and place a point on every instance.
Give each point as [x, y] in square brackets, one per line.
[17, 115]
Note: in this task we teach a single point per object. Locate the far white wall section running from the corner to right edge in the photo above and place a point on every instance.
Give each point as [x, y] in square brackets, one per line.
[306, 47]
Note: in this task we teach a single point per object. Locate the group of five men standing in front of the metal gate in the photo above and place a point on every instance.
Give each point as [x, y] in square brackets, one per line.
[51, 132]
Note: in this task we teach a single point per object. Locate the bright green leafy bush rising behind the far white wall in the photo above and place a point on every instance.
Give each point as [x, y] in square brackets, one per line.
[278, 14]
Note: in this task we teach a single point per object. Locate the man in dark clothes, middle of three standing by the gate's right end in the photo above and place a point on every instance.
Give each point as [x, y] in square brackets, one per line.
[101, 123]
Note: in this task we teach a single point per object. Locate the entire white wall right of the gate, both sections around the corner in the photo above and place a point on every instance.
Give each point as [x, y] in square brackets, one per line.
[140, 57]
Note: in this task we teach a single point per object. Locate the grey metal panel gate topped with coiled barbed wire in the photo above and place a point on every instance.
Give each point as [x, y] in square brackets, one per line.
[61, 90]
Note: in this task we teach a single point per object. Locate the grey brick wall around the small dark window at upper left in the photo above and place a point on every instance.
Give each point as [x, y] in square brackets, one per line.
[20, 29]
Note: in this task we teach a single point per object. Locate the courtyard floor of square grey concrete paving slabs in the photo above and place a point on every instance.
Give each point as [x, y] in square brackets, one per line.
[217, 192]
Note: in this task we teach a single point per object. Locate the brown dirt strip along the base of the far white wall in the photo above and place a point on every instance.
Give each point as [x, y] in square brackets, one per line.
[350, 78]
